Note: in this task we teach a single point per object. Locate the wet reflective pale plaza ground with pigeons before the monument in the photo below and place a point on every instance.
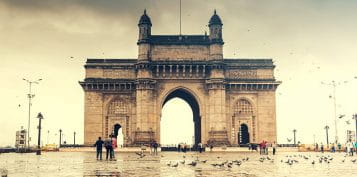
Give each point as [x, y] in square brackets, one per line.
[180, 164]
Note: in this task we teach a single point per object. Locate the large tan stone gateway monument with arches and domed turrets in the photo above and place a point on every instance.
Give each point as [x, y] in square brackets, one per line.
[232, 100]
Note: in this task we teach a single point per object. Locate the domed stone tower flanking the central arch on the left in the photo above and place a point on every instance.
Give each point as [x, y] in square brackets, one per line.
[145, 86]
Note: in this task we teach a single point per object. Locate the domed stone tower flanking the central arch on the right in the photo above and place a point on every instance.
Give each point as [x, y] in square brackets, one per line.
[216, 85]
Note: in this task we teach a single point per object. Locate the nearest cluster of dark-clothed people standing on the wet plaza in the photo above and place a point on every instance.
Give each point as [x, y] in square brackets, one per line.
[110, 144]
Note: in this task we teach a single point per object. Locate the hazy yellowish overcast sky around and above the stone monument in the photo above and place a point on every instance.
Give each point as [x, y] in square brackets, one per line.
[310, 41]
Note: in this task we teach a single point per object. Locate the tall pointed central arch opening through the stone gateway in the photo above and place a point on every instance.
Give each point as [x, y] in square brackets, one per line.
[180, 121]
